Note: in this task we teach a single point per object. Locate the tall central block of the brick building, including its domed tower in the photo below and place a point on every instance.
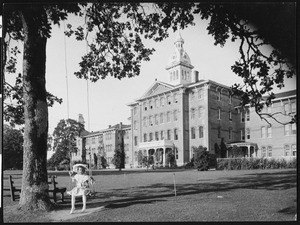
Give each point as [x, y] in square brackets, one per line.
[184, 113]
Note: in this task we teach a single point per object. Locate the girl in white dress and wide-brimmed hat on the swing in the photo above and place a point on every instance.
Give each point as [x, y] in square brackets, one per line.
[83, 182]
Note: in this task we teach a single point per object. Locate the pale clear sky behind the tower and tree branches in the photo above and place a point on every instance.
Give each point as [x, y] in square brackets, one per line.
[107, 99]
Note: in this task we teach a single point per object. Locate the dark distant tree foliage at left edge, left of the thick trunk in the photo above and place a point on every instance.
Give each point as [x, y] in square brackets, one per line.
[12, 148]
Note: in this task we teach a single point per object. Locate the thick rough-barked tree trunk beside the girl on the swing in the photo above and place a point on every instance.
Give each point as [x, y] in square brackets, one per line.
[34, 195]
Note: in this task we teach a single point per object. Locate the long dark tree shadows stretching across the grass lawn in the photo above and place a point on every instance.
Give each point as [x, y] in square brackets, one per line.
[161, 192]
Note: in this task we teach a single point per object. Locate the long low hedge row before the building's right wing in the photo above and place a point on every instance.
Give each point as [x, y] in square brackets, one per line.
[254, 163]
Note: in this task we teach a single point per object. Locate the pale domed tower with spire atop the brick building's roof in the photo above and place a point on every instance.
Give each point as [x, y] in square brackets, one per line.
[179, 65]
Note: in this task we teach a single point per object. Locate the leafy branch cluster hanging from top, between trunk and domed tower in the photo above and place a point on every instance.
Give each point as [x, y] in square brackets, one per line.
[117, 49]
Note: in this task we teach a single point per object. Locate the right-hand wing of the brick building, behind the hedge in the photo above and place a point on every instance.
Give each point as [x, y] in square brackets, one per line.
[274, 138]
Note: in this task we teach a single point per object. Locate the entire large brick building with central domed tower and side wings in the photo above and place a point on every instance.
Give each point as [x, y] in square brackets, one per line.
[190, 111]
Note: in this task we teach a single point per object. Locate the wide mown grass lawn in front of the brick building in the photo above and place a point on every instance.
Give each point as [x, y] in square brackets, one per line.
[141, 196]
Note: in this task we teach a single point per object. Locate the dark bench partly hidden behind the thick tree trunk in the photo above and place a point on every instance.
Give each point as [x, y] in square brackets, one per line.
[52, 188]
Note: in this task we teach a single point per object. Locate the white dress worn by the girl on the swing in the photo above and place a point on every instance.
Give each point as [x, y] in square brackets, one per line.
[82, 185]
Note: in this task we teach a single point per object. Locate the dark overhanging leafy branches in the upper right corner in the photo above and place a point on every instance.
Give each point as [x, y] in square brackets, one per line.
[260, 69]
